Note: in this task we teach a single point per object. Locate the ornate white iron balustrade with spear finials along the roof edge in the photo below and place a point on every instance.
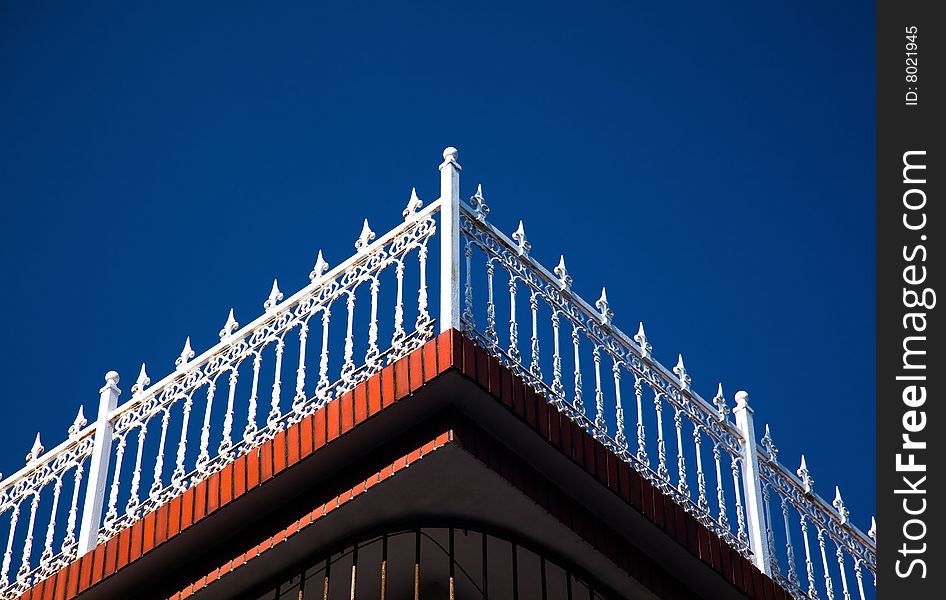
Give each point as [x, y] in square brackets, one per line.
[710, 464]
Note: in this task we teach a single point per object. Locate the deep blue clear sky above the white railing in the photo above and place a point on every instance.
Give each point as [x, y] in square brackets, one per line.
[713, 166]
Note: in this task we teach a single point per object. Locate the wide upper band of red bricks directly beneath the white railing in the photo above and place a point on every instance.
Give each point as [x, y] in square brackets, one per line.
[448, 351]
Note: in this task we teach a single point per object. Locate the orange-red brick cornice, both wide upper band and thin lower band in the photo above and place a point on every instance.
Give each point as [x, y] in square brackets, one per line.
[448, 352]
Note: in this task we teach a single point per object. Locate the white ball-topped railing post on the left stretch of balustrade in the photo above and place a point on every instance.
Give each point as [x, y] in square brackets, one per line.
[98, 466]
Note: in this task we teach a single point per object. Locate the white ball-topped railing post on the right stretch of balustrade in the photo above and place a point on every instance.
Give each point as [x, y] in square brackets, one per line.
[751, 484]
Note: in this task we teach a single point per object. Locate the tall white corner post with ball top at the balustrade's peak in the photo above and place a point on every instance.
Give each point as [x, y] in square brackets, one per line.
[449, 241]
